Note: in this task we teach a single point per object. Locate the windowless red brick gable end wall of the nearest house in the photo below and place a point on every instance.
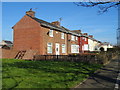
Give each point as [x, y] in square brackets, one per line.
[28, 35]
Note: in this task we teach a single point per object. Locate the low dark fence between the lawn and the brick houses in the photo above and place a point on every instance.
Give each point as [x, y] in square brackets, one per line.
[74, 58]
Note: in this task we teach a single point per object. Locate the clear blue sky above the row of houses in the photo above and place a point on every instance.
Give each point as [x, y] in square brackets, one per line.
[103, 27]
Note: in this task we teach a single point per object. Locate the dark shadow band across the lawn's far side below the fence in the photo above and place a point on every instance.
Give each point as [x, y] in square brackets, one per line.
[52, 67]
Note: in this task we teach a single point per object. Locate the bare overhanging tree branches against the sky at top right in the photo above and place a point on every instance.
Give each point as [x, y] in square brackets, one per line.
[103, 5]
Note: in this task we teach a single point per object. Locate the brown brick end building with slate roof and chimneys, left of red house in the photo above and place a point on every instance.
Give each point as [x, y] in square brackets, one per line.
[31, 33]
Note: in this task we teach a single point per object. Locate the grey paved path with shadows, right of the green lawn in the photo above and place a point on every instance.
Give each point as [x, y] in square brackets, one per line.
[107, 77]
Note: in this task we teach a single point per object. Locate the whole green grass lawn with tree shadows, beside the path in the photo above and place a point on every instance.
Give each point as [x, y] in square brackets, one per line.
[44, 74]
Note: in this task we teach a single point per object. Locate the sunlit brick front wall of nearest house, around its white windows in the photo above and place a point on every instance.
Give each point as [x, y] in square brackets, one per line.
[55, 39]
